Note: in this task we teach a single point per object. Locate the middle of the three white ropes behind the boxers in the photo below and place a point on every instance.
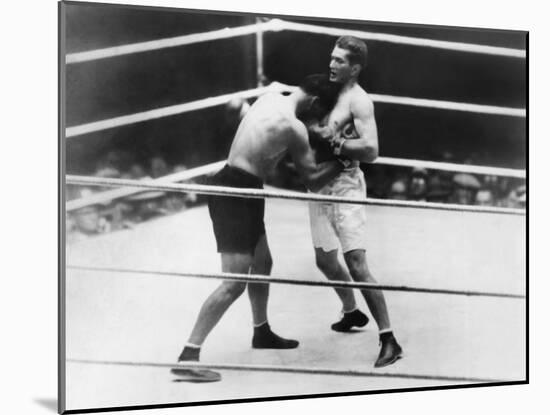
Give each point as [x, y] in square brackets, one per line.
[276, 87]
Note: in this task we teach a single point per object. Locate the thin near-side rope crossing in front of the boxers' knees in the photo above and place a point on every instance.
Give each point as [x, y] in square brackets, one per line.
[252, 278]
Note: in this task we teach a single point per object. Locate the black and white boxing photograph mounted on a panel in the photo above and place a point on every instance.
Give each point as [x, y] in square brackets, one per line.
[271, 206]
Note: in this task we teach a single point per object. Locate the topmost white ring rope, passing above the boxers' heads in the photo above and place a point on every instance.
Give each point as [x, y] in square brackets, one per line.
[278, 25]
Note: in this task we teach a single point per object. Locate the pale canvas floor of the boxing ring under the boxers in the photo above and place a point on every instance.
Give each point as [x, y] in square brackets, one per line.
[118, 317]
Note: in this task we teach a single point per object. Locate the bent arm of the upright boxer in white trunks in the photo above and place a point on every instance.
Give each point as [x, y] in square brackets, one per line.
[365, 147]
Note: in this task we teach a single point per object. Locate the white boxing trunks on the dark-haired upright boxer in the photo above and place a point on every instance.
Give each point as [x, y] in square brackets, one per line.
[335, 224]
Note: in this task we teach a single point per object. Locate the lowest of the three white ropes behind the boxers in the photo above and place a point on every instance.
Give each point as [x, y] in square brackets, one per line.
[110, 195]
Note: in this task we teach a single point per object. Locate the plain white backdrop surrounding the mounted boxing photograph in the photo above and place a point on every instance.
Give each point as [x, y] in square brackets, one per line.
[29, 279]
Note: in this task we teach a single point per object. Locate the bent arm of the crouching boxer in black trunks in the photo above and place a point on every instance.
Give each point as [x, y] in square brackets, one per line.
[313, 175]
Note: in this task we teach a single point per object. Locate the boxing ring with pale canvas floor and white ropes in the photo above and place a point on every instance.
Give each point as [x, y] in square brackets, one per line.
[455, 295]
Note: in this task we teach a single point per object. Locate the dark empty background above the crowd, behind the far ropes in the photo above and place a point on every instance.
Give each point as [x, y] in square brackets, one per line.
[131, 83]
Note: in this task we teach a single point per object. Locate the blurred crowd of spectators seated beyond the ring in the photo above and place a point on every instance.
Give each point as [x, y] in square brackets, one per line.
[385, 182]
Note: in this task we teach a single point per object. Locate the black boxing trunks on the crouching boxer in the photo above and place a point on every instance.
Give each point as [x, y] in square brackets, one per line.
[238, 222]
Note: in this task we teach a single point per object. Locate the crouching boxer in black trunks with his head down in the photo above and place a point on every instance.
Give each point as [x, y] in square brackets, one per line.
[274, 126]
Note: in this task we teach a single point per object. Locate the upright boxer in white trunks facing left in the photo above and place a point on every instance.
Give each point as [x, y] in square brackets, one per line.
[351, 133]
